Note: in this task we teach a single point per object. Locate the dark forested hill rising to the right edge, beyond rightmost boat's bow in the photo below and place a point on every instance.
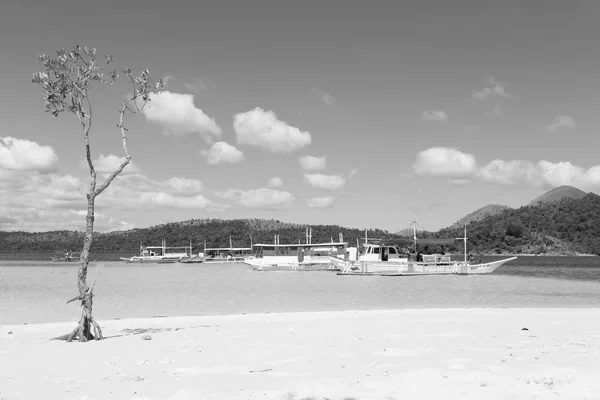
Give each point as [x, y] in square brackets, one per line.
[565, 226]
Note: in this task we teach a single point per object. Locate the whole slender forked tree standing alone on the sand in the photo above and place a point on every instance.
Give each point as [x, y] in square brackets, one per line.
[67, 80]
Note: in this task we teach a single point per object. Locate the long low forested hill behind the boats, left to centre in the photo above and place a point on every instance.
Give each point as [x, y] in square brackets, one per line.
[216, 233]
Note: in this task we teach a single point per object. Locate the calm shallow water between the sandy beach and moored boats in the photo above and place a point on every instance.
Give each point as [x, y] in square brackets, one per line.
[36, 291]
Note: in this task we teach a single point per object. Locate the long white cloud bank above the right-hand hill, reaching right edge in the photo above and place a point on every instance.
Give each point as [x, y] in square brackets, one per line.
[462, 167]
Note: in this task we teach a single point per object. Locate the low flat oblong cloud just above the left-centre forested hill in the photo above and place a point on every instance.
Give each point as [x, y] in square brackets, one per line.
[263, 198]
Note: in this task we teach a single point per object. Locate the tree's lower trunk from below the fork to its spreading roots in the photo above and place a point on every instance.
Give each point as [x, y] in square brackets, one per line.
[87, 323]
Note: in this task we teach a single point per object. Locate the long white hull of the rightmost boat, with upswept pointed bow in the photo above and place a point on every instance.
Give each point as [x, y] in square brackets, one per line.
[403, 268]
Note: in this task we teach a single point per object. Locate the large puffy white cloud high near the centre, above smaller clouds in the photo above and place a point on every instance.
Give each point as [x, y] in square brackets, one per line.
[263, 129]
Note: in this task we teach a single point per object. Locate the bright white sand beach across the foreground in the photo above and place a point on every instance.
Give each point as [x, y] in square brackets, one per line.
[405, 354]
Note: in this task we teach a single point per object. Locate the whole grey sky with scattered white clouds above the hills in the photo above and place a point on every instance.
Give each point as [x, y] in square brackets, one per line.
[373, 114]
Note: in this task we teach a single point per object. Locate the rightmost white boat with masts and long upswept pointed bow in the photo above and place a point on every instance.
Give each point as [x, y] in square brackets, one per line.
[383, 257]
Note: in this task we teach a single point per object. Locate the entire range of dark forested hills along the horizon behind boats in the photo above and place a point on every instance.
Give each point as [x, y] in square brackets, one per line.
[565, 226]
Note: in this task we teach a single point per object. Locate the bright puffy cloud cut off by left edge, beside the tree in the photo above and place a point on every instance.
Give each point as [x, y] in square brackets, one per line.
[25, 155]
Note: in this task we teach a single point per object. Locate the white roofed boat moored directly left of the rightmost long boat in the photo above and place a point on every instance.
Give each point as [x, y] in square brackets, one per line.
[297, 257]
